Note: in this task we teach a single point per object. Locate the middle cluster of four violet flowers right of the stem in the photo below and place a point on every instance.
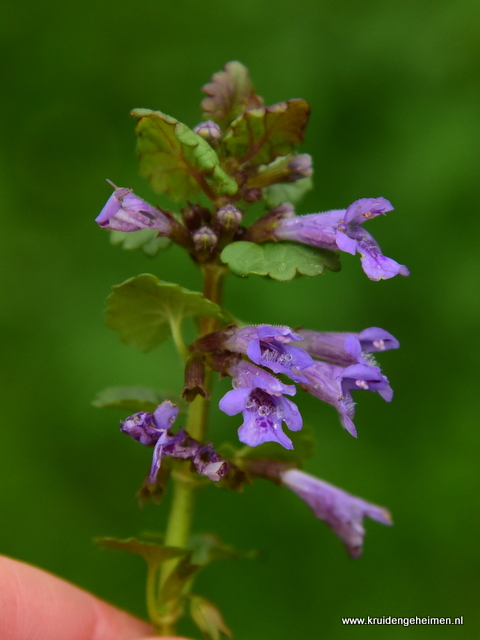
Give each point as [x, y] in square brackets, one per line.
[329, 366]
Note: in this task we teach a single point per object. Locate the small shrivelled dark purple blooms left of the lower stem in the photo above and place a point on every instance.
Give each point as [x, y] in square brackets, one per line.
[153, 430]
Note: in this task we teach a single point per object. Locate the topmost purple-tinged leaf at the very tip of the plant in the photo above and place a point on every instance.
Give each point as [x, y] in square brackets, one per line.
[229, 94]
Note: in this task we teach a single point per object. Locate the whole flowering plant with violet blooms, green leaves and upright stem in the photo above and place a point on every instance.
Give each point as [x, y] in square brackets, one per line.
[241, 154]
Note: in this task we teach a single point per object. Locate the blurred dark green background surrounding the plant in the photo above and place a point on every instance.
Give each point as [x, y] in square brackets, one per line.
[395, 96]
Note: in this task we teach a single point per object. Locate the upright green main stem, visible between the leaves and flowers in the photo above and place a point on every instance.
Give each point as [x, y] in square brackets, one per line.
[181, 511]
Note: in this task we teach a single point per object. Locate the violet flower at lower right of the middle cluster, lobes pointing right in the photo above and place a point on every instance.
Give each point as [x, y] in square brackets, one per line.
[334, 384]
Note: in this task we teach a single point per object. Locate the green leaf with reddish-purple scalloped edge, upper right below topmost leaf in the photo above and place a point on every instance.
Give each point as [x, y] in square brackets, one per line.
[260, 135]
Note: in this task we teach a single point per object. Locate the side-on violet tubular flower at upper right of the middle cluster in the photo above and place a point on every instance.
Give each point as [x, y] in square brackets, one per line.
[345, 349]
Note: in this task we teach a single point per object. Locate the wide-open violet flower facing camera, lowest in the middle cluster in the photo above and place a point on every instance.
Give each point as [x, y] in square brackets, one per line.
[259, 396]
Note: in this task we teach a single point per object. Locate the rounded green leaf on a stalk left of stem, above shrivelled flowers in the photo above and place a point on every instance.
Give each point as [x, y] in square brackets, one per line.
[144, 310]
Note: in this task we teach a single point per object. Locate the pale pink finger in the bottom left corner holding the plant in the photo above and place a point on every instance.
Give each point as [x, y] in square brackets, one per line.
[35, 605]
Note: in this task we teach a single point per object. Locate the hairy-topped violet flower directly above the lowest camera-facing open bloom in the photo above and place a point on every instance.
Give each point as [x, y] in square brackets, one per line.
[269, 346]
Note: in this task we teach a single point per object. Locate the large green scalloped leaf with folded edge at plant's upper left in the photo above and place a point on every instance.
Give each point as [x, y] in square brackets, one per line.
[177, 161]
